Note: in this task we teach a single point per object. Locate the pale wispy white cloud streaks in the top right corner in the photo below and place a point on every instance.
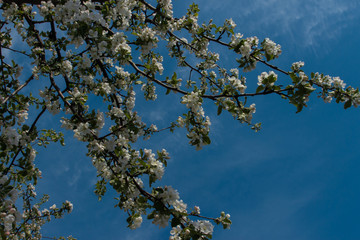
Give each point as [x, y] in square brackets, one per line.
[306, 22]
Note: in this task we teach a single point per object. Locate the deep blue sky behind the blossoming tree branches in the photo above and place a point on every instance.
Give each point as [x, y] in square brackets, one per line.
[295, 179]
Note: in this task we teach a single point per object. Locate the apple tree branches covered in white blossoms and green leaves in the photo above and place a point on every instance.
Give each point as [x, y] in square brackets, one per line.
[86, 61]
